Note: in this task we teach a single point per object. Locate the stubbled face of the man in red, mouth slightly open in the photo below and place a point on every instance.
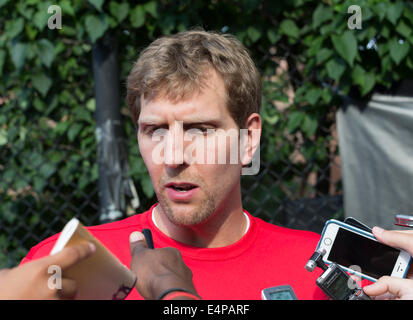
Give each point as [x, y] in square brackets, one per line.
[191, 183]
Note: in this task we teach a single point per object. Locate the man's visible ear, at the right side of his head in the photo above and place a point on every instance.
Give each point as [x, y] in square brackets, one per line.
[250, 139]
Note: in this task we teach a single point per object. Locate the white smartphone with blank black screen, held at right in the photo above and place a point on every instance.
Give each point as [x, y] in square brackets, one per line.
[368, 258]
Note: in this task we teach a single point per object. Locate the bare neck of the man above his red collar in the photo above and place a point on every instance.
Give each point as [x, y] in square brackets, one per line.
[222, 228]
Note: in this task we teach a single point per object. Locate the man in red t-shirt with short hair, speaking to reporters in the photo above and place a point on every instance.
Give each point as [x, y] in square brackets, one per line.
[200, 86]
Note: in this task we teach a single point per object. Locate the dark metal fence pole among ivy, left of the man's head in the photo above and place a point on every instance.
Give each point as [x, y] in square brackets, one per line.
[112, 159]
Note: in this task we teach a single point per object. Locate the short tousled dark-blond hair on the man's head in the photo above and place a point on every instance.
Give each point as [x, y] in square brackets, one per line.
[175, 66]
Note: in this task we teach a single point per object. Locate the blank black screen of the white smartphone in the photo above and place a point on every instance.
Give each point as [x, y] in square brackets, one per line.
[374, 258]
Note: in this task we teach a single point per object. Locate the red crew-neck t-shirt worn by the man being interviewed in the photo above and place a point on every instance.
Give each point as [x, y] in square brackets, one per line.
[266, 256]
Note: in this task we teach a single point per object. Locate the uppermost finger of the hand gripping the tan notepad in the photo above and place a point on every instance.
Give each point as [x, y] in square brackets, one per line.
[72, 255]
